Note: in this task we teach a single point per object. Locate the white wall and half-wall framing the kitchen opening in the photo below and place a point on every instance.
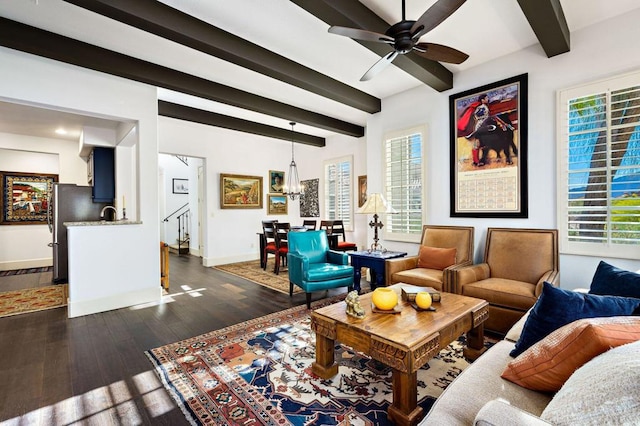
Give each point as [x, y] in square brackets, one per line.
[38, 81]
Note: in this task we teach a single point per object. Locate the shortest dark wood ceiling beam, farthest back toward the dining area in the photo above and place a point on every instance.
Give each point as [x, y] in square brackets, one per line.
[181, 112]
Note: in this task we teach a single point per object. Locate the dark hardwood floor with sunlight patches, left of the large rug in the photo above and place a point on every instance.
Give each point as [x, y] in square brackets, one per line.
[93, 370]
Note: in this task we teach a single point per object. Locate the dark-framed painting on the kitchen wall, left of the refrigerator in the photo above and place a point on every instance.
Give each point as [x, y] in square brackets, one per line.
[25, 197]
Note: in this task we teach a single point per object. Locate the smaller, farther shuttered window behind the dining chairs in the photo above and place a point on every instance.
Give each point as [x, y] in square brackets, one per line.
[338, 190]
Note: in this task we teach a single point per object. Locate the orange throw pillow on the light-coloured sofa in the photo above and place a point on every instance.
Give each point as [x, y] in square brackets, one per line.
[546, 365]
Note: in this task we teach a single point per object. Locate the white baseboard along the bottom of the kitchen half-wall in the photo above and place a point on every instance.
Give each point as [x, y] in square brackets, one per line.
[93, 306]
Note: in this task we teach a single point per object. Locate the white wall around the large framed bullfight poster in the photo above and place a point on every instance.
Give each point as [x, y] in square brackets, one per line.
[602, 50]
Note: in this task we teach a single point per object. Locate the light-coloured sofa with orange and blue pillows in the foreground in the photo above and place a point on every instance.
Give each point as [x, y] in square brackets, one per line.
[595, 394]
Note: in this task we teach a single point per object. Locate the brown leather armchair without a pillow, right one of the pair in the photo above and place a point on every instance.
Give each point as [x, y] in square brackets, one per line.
[516, 263]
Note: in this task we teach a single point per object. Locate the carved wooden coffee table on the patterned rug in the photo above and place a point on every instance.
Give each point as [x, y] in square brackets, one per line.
[404, 341]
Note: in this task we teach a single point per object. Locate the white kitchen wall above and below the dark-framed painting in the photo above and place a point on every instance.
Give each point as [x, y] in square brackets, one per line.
[25, 246]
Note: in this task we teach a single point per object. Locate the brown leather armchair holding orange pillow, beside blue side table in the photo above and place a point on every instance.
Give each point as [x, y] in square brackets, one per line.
[407, 270]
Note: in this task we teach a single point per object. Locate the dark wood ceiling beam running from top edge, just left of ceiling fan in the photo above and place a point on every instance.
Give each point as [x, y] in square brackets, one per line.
[164, 21]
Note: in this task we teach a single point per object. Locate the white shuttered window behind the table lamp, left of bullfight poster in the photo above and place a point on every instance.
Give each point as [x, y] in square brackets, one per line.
[403, 180]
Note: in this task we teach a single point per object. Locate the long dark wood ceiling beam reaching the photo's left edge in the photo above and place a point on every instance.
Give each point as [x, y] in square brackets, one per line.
[39, 42]
